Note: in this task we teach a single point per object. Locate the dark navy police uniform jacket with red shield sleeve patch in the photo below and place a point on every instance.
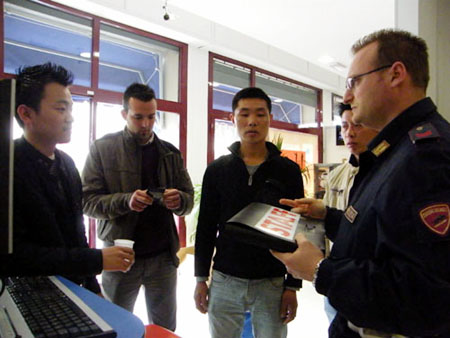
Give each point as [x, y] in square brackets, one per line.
[389, 268]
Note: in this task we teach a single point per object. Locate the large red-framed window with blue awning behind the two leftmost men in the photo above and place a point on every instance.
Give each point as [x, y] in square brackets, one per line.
[37, 32]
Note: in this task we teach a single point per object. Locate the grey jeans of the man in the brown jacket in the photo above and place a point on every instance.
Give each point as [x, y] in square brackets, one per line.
[158, 275]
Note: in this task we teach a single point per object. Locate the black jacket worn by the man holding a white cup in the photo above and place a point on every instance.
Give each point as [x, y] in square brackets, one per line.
[47, 240]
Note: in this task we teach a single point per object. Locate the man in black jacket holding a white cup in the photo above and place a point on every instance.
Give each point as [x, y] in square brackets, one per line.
[49, 234]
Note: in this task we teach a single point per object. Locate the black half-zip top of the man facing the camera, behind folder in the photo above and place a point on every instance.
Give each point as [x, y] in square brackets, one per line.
[226, 189]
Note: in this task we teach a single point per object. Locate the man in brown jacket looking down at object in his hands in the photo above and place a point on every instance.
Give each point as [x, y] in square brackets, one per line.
[133, 183]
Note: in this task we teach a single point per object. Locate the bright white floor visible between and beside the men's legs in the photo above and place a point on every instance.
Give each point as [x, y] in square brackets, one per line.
[311, 321]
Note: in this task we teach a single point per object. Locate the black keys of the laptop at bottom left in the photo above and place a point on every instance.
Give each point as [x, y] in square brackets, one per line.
[48, 311]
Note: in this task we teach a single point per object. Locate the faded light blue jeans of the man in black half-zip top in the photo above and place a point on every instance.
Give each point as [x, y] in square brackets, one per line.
[230, 297]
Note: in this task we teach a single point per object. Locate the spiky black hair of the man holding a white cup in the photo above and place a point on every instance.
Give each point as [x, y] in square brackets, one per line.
[31, 82]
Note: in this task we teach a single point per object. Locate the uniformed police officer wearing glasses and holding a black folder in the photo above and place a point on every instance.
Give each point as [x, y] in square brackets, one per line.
[388, 272]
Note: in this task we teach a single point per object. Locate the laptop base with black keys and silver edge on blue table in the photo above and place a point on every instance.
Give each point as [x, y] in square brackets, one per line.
[45, 307]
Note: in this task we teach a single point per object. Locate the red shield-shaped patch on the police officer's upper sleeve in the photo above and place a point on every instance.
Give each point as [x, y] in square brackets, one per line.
[437, 218]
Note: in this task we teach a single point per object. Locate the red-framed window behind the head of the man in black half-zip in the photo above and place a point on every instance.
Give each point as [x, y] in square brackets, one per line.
[295, 108]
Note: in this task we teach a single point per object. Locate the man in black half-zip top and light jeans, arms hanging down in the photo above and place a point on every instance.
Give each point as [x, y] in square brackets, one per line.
[245, 277]
